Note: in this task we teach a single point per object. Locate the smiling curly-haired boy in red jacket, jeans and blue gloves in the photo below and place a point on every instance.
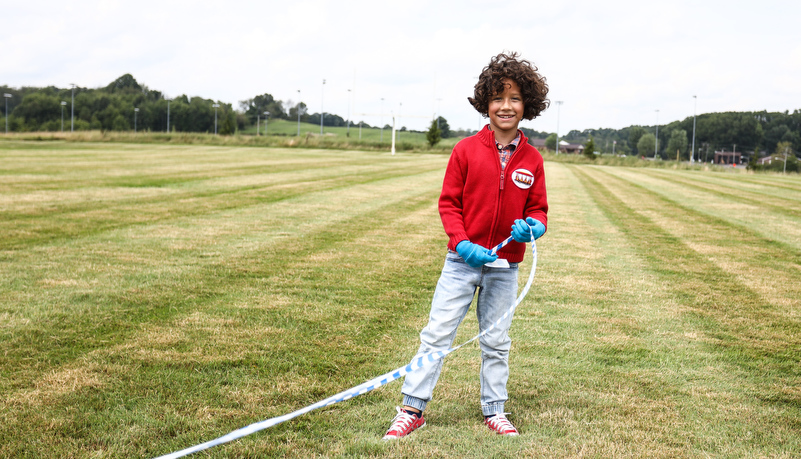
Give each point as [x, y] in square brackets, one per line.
[494, 181]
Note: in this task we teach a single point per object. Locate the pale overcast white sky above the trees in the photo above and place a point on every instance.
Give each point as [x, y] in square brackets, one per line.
[612, 64]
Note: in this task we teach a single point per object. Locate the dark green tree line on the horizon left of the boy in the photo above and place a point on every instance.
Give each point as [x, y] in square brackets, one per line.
[127, 105]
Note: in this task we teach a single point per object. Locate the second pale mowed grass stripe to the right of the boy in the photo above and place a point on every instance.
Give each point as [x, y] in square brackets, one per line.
[719, 258]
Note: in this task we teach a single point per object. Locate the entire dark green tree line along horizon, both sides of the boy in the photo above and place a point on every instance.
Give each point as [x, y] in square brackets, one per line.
[125, 105]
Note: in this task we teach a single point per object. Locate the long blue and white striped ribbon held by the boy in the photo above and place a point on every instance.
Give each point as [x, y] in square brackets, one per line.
[365, 387]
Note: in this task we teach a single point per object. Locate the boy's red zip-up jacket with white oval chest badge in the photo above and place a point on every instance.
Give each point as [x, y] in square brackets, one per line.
[479, 202]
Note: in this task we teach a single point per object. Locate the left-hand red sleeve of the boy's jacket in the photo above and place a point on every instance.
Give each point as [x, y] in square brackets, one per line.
[451, 200]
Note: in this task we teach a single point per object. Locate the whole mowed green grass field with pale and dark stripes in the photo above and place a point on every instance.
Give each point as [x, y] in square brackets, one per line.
[157, 296]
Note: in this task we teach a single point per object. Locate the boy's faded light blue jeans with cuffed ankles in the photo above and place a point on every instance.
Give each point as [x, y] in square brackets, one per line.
[497, 292]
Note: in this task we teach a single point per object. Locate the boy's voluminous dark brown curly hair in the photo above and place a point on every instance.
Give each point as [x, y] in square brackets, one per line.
[533, 86]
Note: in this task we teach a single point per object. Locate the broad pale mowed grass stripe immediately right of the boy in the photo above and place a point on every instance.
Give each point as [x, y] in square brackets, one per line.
[605, 362]
